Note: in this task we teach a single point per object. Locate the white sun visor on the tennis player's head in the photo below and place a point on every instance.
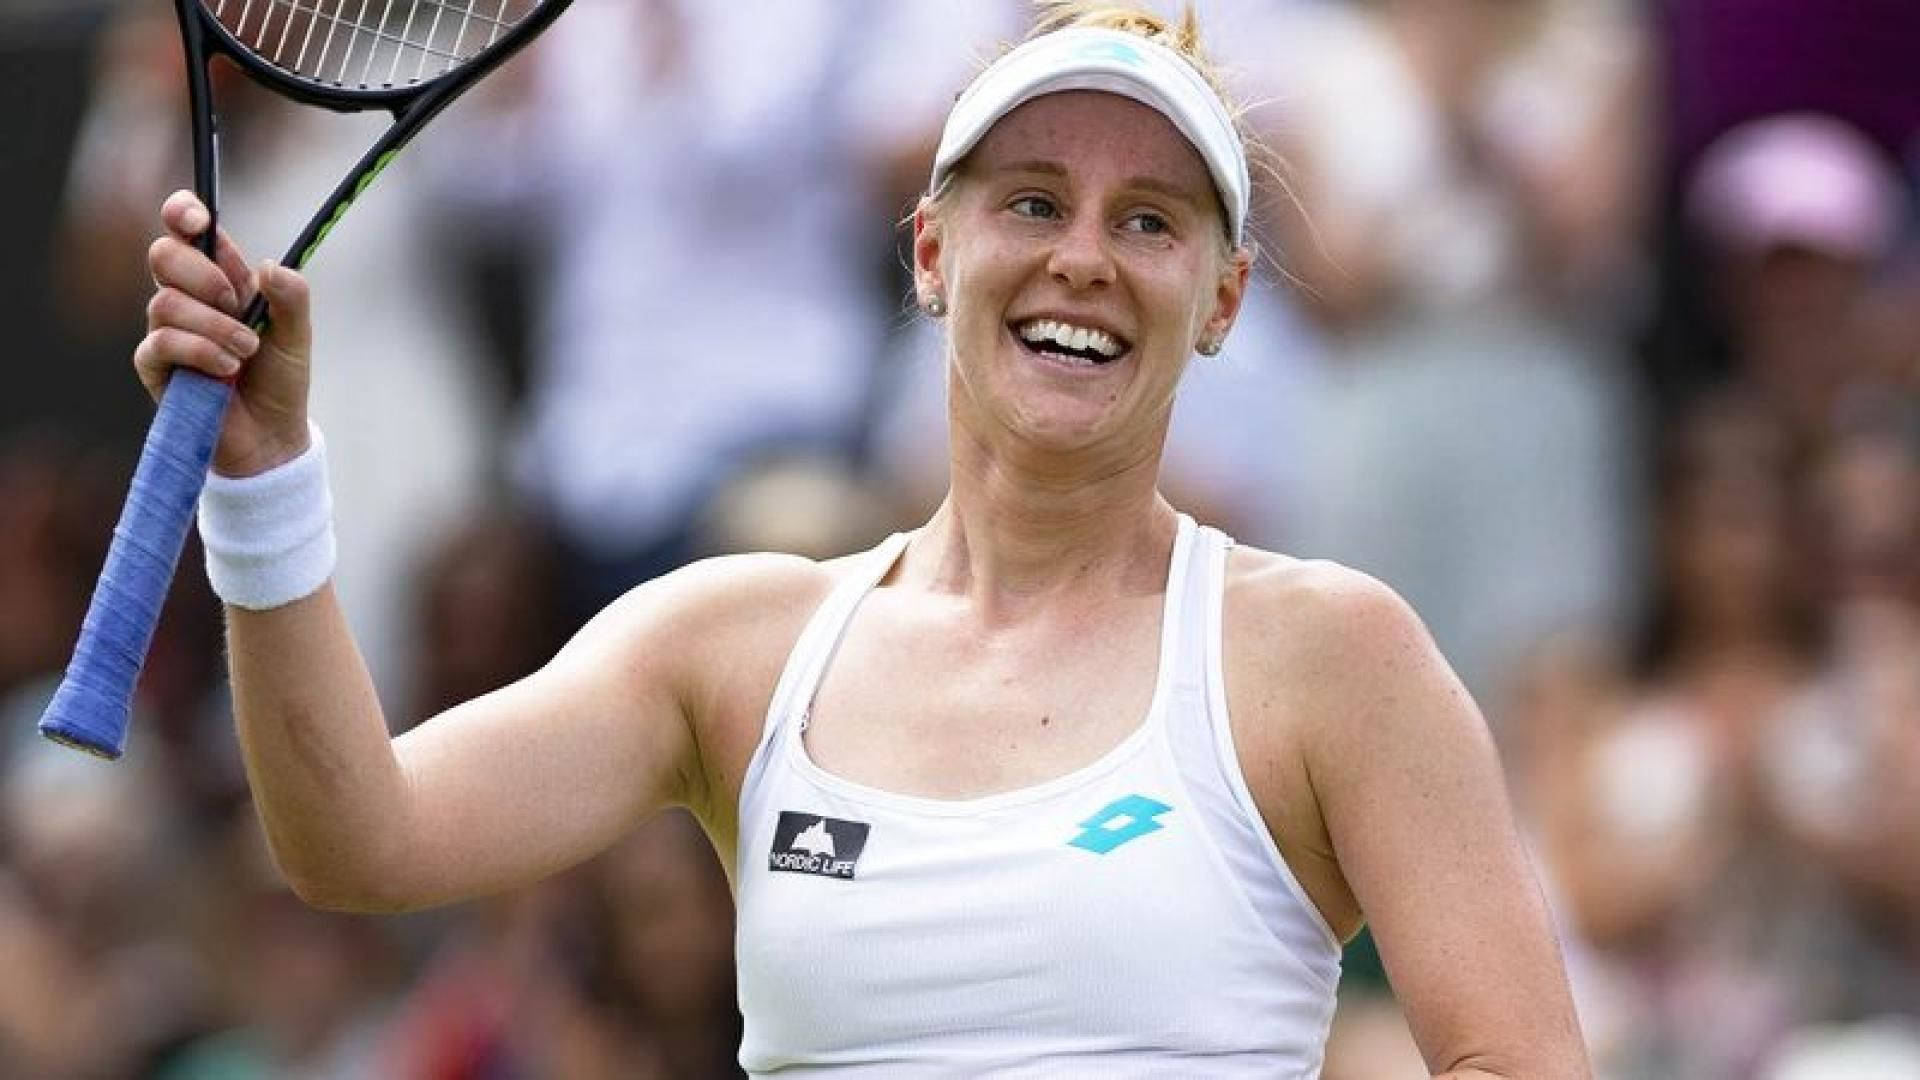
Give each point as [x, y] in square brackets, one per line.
[1113, 62]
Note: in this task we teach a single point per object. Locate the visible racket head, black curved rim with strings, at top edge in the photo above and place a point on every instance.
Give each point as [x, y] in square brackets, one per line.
[360, 55]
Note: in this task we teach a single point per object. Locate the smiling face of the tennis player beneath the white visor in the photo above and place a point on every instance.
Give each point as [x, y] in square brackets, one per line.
[1082, 258]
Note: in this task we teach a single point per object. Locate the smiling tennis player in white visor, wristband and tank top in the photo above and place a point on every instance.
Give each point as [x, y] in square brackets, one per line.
[1057, 785]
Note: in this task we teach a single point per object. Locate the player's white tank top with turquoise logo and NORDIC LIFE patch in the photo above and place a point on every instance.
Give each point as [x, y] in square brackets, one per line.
[1130, 920]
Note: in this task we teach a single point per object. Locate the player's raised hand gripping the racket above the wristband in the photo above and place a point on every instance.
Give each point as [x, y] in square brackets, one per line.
[195, 322]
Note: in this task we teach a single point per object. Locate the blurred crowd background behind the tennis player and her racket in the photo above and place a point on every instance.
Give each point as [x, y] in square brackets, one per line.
[1591, 326]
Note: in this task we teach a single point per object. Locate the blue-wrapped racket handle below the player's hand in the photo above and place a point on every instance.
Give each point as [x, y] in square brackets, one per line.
[95, 699]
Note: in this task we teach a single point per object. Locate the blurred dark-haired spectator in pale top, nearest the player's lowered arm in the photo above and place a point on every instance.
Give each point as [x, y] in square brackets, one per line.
[1650, 812]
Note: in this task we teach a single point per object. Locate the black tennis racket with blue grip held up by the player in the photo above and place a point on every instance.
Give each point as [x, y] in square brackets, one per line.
[406, 57]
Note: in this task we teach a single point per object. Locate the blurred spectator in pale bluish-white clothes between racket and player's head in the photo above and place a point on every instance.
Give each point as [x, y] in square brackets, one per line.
[706, 185]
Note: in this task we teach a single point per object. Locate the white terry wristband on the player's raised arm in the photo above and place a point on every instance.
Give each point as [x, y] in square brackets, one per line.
[270, 539]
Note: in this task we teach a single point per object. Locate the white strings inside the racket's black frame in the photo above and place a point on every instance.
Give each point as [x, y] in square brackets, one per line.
[368, 45]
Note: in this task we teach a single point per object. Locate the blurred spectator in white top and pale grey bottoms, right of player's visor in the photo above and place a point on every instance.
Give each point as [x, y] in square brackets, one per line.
[1464, 257]
